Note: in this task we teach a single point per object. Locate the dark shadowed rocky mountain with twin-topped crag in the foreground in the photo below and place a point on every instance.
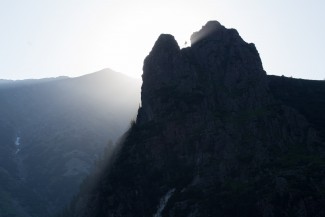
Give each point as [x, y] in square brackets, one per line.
[211, 139]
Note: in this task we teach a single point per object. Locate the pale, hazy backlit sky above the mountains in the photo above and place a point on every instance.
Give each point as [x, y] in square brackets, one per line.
[47, 38]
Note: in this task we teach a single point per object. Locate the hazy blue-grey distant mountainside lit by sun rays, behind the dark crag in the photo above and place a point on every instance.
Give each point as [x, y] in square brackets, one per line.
[52, 131]
